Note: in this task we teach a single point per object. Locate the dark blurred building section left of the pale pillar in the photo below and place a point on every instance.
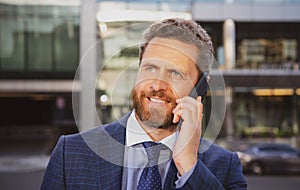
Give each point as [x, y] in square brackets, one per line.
[39, 54]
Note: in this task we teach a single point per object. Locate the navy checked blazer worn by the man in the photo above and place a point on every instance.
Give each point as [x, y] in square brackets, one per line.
[80, 161]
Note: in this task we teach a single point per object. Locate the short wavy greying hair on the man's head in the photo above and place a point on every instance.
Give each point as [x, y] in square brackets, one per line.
[186, 31]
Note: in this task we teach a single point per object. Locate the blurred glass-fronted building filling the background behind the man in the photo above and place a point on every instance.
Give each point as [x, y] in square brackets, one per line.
[61, 56]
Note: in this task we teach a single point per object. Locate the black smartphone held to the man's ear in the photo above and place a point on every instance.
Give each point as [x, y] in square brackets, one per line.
[199, 90]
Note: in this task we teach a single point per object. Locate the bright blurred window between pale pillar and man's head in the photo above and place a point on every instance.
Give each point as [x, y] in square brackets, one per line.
[115, 81]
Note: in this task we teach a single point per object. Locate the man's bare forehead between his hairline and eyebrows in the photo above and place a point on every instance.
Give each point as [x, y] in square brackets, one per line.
[173, 51]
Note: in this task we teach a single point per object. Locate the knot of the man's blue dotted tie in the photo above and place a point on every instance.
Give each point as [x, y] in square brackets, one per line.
[153, 150]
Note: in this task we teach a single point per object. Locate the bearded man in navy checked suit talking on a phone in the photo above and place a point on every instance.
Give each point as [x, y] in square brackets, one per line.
[173, 57]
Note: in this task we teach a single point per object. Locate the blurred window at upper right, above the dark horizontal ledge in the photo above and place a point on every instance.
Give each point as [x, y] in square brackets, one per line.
[267, 54]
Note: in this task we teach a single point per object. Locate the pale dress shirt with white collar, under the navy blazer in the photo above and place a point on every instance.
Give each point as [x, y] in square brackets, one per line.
[135, 156]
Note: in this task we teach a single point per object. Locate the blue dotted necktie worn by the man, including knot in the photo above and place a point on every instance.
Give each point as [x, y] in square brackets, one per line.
[150, 178]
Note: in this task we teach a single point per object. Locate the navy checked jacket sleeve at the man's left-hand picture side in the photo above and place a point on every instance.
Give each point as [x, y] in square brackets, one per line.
[54, 175]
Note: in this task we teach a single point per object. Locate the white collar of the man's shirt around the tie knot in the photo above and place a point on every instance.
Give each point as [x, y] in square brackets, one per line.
[135, 134]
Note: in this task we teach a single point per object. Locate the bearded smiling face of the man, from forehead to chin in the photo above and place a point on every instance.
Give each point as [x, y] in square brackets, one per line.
[167, 72]
